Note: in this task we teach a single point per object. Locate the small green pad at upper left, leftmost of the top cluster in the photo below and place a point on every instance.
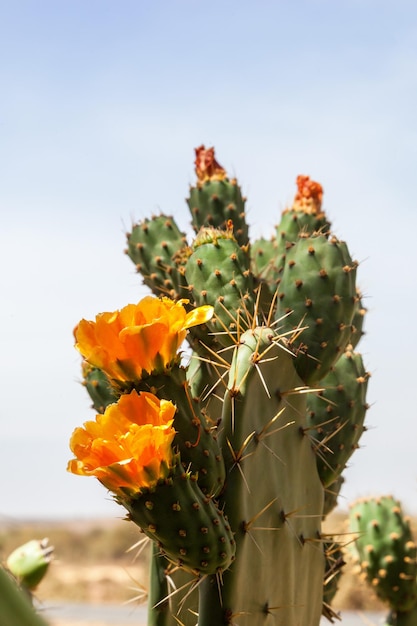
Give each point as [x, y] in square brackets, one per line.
[152, 245]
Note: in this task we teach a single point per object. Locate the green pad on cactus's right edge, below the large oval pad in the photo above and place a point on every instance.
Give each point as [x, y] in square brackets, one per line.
[335, 415]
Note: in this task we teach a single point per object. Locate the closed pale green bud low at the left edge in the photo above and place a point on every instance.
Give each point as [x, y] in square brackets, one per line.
[30, 562]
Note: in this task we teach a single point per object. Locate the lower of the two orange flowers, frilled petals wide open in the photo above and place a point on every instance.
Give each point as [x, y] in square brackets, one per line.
[128, 448]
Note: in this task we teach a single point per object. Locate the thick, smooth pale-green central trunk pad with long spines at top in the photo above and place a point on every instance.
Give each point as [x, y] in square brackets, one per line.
[273, 496]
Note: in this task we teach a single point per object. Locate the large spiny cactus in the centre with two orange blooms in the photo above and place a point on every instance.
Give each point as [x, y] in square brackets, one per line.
[228, 473]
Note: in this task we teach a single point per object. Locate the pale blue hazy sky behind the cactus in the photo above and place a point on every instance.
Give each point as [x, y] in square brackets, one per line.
[101, 106]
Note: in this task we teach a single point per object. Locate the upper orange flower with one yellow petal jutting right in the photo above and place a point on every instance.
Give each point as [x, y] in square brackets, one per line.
[140, 338]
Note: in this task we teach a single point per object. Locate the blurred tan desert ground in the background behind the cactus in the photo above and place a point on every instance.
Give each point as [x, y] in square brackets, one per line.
[100, 562]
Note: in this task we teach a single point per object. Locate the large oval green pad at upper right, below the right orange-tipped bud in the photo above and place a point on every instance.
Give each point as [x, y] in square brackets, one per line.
[317, 293]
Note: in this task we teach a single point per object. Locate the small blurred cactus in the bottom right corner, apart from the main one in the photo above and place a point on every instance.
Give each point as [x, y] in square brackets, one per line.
[387, 555]
